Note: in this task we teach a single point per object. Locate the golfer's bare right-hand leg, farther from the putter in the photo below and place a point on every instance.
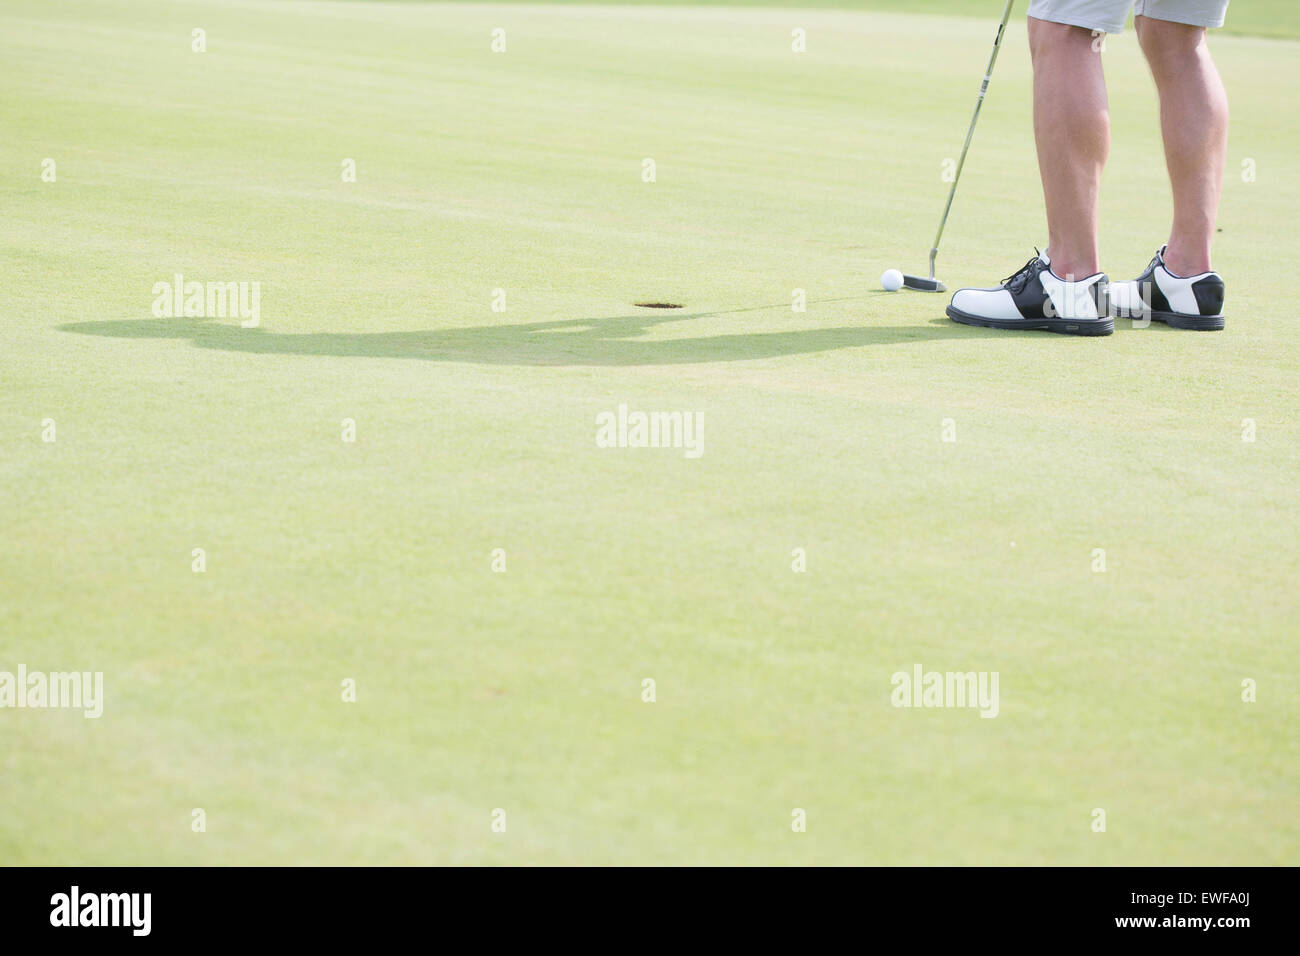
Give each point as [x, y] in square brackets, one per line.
[1194, 122]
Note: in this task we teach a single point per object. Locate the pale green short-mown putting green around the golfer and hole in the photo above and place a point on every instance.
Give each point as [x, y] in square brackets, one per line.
[388, 485]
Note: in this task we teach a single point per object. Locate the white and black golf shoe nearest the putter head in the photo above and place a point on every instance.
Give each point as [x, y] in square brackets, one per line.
[1037, 299]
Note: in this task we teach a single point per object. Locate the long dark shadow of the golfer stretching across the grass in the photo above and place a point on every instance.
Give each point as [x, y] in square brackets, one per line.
[613, 341]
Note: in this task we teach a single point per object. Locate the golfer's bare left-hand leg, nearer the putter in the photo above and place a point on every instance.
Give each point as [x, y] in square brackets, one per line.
[1072, 127]
